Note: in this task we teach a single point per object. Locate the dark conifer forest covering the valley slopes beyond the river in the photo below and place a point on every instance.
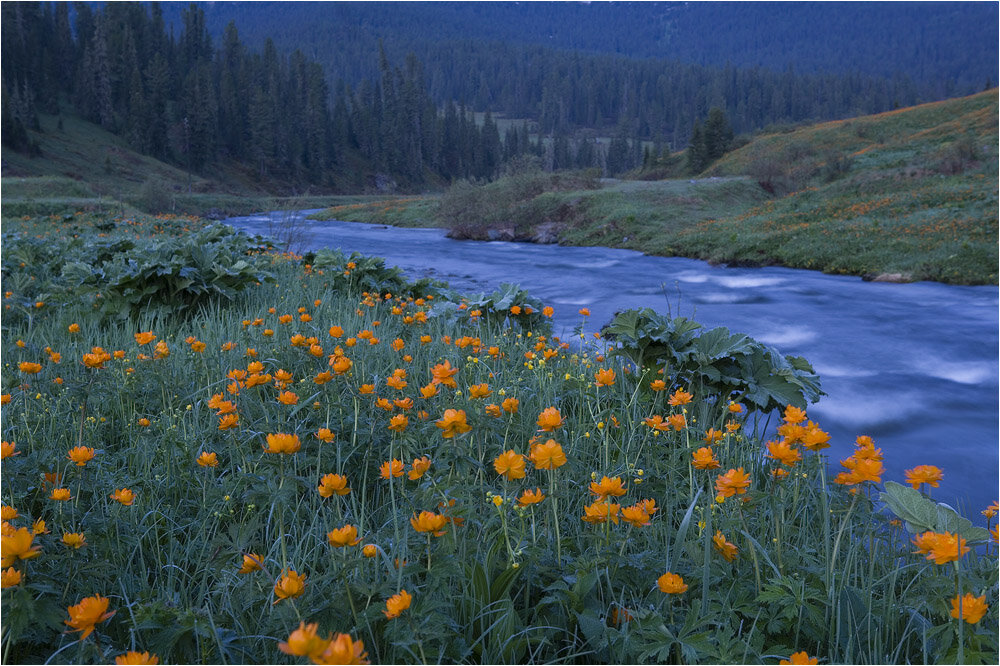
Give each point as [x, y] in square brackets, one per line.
[362, 106]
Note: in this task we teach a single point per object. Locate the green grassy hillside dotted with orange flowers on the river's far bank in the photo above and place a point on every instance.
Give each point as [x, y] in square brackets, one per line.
[906, 195]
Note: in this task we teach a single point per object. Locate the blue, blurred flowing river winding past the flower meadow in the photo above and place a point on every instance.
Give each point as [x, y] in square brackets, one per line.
[915, 366]
